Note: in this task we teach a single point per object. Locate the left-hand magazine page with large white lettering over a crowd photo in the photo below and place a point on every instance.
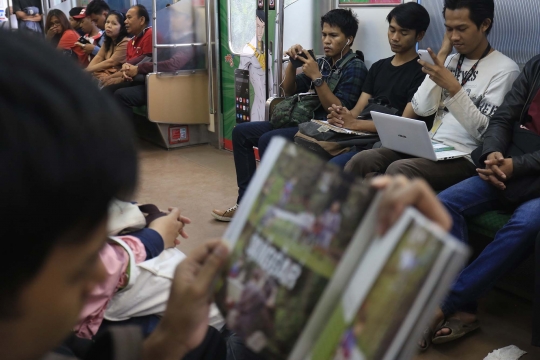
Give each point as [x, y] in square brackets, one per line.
[293, 227]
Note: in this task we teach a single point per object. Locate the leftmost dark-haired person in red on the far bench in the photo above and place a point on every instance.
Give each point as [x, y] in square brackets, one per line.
[60, 33]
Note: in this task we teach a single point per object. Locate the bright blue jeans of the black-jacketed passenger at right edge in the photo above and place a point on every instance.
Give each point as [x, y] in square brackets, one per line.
[512, 243]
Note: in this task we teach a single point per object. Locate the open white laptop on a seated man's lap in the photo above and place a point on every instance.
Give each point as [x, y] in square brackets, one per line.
[411, 137]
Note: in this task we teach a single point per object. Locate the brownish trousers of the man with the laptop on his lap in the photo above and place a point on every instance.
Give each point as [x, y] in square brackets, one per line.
[439, 174]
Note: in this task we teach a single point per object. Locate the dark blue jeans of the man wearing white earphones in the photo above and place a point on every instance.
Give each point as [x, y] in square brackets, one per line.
[245, 137]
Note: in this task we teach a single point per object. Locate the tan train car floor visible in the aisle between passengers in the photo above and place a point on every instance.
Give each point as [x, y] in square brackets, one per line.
[201, 178]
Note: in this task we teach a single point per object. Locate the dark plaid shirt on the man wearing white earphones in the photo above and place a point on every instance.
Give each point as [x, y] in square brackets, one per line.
[349, 87]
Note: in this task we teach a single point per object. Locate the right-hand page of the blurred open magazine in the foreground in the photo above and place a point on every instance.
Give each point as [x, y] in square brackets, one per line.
[401, 278]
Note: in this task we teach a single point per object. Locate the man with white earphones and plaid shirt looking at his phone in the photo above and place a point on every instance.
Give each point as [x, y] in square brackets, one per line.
[339, 28]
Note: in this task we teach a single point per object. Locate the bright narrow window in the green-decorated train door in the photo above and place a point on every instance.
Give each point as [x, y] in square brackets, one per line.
[241, 24]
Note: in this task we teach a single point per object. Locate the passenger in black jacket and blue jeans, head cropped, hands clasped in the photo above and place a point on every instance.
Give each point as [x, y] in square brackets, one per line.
[507, 180]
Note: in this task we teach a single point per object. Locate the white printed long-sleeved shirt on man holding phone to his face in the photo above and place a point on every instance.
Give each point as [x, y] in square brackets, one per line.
[462, 120]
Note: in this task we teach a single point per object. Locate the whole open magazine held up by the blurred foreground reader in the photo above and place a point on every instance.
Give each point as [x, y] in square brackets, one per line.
[306, 264]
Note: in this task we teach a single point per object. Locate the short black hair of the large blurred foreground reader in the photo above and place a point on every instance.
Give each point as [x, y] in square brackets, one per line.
[66, 150]
